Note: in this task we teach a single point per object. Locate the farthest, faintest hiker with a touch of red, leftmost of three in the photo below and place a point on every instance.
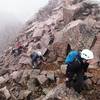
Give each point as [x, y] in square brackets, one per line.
[17, 50]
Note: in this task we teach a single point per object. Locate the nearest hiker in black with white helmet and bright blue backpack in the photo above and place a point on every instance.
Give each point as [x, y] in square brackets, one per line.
[77, 65]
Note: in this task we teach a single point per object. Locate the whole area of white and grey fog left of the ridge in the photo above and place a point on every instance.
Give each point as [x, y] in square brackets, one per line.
[13, 14]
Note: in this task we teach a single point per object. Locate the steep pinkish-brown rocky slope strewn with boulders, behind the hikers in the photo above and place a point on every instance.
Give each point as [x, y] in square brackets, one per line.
[57, 28]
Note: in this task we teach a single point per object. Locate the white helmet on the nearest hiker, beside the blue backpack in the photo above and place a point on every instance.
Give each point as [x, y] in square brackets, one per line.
[87, 54]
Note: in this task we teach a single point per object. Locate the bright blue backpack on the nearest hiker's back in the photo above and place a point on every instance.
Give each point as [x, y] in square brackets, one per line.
[73, 55]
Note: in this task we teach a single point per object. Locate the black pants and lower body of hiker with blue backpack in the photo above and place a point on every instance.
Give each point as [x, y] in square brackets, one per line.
[75, 73]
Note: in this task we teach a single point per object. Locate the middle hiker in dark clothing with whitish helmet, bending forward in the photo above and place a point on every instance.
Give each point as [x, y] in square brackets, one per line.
[36, 58]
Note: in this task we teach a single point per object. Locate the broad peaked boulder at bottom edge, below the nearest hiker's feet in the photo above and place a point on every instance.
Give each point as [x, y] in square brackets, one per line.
[60, 92]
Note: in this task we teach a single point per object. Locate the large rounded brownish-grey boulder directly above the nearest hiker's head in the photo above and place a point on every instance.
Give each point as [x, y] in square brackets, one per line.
[78, 35]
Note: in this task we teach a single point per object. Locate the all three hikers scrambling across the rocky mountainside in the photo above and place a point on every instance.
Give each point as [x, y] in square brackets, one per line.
[77, 64]
